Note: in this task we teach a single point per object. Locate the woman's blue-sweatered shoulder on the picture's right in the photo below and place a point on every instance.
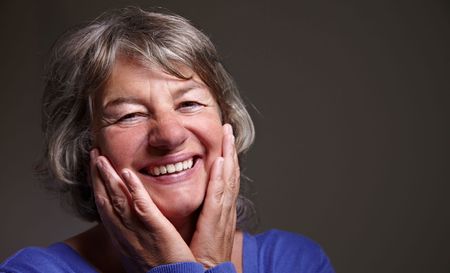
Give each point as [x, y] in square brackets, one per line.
[282, 250]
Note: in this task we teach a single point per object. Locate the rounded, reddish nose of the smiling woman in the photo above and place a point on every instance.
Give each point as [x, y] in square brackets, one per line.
[167, 133]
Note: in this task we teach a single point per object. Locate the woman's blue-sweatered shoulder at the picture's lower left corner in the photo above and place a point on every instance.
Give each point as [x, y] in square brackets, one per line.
[55, 258]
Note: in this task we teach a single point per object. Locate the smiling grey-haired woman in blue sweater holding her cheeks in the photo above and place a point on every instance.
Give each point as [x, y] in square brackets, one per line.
[144, 129]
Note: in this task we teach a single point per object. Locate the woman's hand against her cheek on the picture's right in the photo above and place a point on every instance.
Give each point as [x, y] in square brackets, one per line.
[212, 242]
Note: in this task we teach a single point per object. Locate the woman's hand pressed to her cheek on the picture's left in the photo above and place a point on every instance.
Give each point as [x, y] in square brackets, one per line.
[142, 234]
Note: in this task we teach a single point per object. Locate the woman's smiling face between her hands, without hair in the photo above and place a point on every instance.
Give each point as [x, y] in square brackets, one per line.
[165, 129]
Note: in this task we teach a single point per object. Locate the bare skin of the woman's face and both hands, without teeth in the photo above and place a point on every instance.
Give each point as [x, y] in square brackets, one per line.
[145, 118]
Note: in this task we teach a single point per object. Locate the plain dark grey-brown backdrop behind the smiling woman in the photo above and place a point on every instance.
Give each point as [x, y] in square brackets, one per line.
[350, 101]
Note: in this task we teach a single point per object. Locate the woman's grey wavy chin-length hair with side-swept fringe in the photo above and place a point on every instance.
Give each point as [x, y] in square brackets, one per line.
[81, 62]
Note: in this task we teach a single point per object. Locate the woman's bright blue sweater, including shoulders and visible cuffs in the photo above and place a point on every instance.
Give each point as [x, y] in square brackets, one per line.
[273, 251]
